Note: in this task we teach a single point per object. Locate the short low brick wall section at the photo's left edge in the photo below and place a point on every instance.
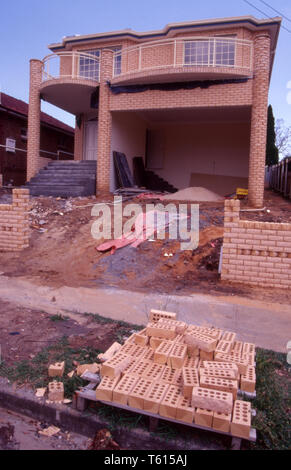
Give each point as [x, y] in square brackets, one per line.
[14, 223]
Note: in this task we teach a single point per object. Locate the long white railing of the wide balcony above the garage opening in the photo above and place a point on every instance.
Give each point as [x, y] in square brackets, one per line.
[226, 52]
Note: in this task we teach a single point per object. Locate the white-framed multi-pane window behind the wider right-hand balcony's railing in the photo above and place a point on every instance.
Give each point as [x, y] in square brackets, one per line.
[214, 52]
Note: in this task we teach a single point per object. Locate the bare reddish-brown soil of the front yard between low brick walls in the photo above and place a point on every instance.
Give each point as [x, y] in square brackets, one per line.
[63, 252]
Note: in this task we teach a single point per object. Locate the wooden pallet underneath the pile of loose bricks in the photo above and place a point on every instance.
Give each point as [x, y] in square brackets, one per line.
[86, 395]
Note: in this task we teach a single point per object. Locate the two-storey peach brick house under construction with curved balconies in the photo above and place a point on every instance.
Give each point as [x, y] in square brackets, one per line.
[190, 99]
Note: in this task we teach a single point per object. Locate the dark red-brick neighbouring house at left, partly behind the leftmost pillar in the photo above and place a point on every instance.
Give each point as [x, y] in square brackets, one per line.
[56, 140]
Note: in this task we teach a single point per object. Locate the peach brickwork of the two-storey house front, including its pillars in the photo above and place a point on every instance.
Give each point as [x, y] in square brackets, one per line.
[153, 64]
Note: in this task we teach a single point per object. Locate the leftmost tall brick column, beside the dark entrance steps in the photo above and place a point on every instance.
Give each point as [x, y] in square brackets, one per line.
[33, 141]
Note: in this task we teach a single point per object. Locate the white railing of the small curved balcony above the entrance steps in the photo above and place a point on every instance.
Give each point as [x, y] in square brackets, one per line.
[71, 65]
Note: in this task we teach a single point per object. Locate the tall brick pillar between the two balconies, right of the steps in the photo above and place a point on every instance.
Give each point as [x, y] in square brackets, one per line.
[104, 123]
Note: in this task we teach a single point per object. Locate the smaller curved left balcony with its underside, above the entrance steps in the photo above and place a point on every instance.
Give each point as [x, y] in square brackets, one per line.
[69, 79]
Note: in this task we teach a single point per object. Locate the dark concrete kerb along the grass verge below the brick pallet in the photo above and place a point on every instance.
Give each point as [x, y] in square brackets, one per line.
[24, 402]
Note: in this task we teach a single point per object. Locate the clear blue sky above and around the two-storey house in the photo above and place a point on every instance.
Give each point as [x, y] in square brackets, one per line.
[28, 26]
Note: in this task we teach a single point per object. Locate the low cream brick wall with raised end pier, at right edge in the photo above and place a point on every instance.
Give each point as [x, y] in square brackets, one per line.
[255, 252]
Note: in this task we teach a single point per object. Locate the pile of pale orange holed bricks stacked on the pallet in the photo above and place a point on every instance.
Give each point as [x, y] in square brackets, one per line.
[173, 378]
